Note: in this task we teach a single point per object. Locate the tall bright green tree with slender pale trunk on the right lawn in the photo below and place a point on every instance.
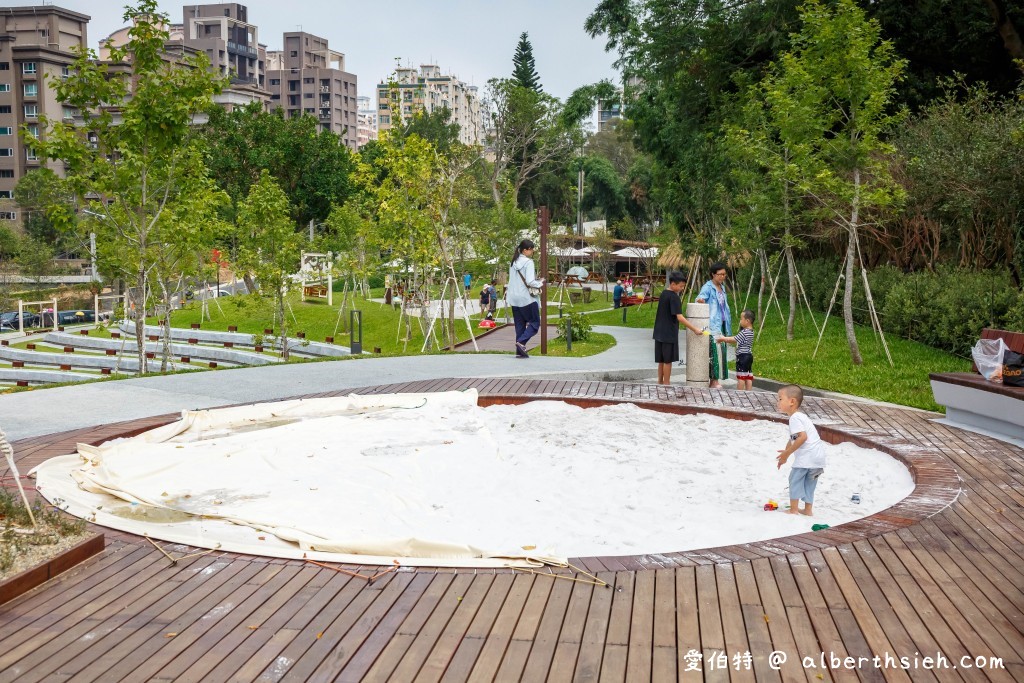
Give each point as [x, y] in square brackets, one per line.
[830, 99]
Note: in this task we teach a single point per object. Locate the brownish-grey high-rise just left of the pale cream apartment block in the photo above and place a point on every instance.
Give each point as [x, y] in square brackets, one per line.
[308, 77]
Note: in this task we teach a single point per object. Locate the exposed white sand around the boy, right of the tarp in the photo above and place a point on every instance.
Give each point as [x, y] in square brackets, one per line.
[625, 481]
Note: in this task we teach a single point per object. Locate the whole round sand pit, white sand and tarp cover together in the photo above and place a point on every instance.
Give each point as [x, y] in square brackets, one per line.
[437, 480]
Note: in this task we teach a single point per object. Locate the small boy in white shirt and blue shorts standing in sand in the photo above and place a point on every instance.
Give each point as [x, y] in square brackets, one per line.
[804, 441]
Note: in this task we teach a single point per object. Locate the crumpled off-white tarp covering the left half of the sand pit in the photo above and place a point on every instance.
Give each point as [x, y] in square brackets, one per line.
[330, 476]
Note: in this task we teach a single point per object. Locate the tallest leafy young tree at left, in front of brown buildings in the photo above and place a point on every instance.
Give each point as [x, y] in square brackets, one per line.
[137, 151]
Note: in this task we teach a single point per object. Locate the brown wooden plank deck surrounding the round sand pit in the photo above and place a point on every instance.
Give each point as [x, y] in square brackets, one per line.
[942, 575]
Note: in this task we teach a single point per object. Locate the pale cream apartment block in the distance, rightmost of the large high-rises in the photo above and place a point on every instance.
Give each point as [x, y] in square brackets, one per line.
[431, 91]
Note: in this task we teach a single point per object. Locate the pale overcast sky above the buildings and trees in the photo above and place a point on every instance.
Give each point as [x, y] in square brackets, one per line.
[475, 39]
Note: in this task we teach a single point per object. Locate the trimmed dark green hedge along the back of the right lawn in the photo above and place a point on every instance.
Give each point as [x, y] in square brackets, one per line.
[946, 309]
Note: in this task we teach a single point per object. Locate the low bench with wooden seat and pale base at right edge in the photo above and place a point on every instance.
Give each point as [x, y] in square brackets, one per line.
[974, 403]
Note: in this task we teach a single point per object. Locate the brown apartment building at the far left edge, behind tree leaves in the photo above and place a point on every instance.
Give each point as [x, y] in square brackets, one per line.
[35, 46]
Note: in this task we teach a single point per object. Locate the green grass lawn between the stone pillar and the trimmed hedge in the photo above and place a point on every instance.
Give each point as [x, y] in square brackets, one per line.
[777, 359]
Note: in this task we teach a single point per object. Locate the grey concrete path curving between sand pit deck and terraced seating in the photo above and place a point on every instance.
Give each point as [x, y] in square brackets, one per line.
[61, 409]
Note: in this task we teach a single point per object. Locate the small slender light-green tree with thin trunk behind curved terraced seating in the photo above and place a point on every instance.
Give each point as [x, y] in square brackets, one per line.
[272, 248]
